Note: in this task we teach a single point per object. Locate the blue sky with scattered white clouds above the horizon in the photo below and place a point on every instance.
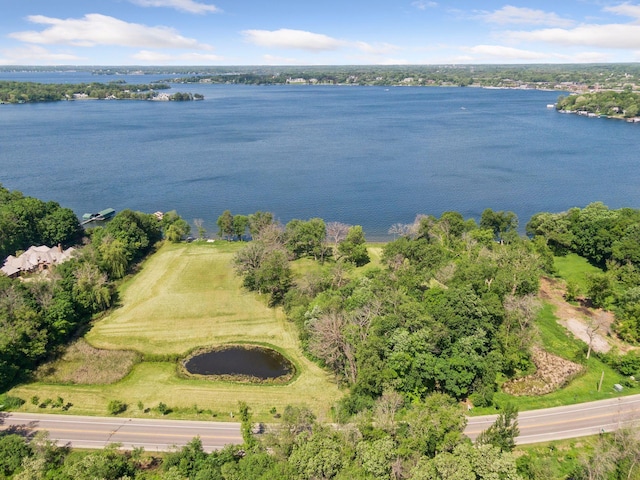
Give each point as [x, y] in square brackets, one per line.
[318, 32]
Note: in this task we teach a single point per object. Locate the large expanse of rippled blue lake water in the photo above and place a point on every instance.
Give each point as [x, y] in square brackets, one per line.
[372, 156]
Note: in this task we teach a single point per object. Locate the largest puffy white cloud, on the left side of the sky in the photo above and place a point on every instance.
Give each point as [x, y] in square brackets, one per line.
[96, 29]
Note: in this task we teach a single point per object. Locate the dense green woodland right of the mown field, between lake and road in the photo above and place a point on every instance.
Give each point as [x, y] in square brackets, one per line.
[454, 304]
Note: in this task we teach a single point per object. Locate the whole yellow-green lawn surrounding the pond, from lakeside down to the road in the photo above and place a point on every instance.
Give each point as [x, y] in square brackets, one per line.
[187, 296]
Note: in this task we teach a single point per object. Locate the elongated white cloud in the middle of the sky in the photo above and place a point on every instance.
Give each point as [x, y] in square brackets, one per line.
[293, 39]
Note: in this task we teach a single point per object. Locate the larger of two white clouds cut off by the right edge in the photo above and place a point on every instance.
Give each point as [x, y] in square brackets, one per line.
[622, 36]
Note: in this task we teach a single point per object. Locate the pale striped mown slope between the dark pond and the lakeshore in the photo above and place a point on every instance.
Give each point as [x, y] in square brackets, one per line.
[197, 300]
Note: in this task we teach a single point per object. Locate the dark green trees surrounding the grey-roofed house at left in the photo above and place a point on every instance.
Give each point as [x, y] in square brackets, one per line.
[38, 316]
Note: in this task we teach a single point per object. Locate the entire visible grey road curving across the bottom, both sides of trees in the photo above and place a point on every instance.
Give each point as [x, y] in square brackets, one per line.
[161, 435]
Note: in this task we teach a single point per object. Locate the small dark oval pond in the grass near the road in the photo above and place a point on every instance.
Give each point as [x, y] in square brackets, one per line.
[243, 362]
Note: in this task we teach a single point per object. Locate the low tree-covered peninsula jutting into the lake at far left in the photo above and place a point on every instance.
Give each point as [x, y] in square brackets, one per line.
[30, 92]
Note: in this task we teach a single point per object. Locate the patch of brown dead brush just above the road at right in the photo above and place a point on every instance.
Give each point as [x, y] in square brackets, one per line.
[552, 373]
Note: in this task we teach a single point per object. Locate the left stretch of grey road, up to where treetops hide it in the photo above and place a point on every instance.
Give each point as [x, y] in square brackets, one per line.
[97, 432]
